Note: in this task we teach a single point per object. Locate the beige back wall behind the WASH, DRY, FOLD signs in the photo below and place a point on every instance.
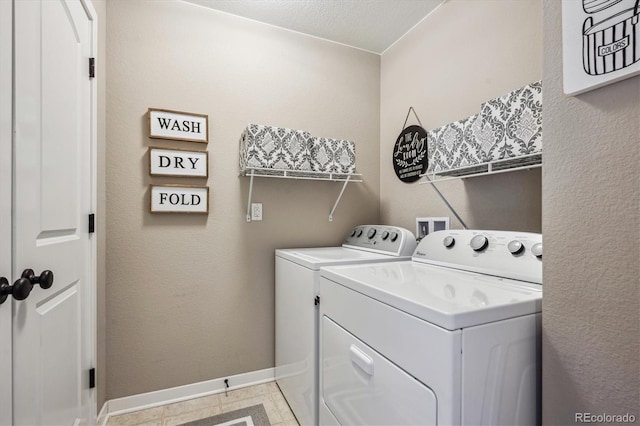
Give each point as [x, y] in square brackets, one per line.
[191, 298]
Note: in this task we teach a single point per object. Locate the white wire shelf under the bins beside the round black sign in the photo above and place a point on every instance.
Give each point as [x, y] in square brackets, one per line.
[525, 162]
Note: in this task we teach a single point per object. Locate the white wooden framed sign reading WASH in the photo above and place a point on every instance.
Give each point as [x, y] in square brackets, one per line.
[178, 125]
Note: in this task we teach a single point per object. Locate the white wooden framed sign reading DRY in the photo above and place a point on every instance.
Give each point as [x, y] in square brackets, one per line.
[178, 162]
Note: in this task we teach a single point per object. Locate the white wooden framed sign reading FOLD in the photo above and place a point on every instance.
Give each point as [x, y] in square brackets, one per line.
[179, 199]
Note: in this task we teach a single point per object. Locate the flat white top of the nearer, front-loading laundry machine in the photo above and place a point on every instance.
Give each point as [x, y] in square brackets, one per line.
[449, 298]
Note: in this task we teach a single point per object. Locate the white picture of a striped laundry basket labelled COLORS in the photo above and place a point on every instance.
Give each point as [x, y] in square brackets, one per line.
[600, 43]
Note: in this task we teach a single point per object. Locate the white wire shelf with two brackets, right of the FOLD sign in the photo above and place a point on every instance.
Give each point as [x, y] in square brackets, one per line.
[299, 175]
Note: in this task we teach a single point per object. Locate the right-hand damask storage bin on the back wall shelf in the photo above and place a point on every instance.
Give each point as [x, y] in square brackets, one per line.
[333, 155]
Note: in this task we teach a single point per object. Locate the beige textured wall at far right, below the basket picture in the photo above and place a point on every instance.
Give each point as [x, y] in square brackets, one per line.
[591, 215]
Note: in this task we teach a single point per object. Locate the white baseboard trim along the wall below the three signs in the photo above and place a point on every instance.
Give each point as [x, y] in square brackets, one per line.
[181, 393]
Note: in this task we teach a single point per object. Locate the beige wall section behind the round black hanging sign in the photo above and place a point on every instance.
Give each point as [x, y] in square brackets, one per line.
[464, 54]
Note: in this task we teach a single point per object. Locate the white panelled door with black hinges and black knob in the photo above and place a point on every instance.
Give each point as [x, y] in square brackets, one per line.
[53, 179]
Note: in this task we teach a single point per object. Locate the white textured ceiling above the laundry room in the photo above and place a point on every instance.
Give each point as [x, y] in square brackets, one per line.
[371, 25]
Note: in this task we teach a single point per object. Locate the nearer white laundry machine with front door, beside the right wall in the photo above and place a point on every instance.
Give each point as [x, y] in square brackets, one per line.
[451, 337]
